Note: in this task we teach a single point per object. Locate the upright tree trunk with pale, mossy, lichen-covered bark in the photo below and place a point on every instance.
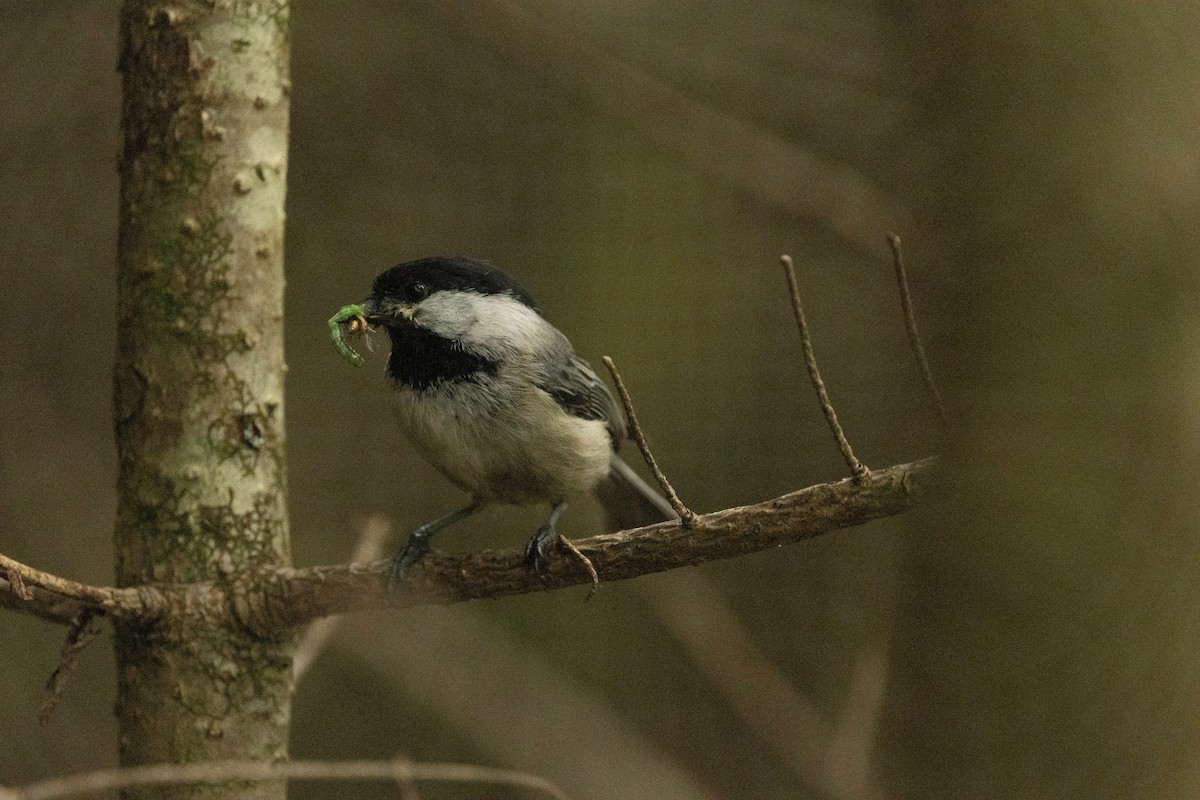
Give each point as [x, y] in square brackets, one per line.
[200, 374]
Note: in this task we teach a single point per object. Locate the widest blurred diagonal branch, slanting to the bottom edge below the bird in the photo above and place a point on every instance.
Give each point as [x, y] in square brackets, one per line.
[433, 659]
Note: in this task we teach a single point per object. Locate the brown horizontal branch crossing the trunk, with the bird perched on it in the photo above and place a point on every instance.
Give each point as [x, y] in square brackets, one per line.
[273, 599]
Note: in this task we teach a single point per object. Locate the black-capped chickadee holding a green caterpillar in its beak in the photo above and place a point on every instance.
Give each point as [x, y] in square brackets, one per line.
[496, 399]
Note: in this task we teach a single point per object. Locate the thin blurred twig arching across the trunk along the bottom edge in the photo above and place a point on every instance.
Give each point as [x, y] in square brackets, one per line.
[236, 771]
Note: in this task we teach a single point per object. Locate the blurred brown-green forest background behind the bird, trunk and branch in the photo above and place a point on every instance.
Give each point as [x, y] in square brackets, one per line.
[640, 167]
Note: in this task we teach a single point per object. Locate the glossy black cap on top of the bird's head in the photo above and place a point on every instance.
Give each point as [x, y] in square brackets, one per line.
[415, 281]
